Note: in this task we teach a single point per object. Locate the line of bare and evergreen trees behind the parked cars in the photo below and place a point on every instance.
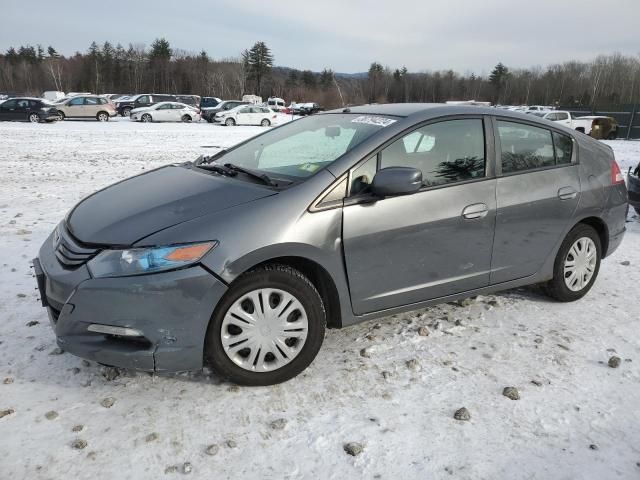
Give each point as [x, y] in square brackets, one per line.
[160, 68]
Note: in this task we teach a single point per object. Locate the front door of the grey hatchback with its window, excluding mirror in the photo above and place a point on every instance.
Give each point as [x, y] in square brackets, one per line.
[433, 243]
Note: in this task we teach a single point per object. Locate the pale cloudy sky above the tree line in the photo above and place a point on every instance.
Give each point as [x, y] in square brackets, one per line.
[345, 35]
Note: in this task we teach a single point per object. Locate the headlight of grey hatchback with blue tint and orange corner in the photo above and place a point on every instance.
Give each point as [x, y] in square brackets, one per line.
[136, 261]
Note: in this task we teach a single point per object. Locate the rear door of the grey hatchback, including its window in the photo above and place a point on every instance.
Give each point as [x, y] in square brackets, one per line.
[537, 194]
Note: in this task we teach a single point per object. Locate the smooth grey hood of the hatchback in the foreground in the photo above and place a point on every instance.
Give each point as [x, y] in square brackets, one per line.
[128, 211]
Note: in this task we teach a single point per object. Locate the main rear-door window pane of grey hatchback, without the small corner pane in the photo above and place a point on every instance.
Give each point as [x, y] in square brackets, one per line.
[524, 147]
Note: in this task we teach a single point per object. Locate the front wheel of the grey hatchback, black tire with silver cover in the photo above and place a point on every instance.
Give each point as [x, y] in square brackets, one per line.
[285, 284]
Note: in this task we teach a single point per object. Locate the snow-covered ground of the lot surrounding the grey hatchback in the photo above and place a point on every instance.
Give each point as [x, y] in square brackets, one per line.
[380, 384]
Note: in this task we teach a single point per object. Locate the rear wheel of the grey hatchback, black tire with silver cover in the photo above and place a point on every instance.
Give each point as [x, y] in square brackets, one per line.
[558, 287]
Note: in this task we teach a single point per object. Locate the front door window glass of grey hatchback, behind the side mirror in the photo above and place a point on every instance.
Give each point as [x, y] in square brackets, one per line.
[445, 152]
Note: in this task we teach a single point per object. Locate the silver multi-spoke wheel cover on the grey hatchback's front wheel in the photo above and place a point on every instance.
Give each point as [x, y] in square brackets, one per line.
[264, 330]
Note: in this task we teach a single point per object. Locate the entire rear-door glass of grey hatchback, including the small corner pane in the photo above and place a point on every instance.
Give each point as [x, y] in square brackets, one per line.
[525, 147]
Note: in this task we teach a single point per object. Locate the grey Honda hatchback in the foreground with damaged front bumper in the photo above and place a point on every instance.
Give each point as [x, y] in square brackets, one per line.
[240, 260]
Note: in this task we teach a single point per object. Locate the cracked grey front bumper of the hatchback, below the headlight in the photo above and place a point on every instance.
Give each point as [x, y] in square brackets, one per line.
[171, 310]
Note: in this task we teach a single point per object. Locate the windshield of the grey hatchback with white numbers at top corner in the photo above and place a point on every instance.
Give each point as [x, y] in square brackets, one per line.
[303, 147]
